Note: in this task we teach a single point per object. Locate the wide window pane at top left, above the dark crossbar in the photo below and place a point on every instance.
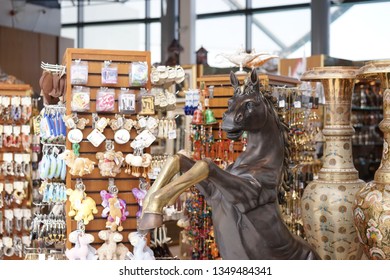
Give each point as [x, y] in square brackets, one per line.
[103, 10]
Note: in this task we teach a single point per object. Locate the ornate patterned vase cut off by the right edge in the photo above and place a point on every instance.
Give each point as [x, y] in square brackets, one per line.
[372, 205]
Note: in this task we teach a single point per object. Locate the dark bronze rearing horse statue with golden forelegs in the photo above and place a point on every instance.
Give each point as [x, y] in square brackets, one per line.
[245, 210]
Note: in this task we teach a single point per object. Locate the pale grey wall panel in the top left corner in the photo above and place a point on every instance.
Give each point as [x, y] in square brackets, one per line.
[30, 17]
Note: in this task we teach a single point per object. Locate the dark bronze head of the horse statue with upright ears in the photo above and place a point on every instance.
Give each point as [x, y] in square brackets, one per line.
[246, 109]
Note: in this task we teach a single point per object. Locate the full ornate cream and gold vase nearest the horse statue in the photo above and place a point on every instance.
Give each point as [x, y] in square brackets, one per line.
[327, 202]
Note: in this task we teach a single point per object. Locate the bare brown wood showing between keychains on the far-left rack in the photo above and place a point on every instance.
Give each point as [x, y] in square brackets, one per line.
[15, 90]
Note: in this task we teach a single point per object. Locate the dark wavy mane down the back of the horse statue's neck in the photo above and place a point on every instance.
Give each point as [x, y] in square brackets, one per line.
[271, 105]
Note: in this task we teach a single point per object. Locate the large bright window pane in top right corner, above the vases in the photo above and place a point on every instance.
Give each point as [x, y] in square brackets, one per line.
[361, 33]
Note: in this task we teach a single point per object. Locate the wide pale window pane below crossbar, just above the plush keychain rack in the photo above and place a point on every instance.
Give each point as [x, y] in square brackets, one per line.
[115, 37]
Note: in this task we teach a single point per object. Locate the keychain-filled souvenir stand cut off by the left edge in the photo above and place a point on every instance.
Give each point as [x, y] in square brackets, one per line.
[15, 170]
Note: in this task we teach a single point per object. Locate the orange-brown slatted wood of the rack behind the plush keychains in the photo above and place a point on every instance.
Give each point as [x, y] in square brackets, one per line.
[94, 182]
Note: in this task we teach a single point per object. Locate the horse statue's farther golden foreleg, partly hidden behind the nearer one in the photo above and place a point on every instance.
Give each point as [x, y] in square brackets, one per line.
[170, 169]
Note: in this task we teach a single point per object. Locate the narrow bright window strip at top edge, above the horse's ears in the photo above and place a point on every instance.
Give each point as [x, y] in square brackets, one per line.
[215, 6]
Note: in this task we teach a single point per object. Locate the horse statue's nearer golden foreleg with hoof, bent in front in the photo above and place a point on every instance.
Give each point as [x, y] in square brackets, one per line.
[152, 214]
